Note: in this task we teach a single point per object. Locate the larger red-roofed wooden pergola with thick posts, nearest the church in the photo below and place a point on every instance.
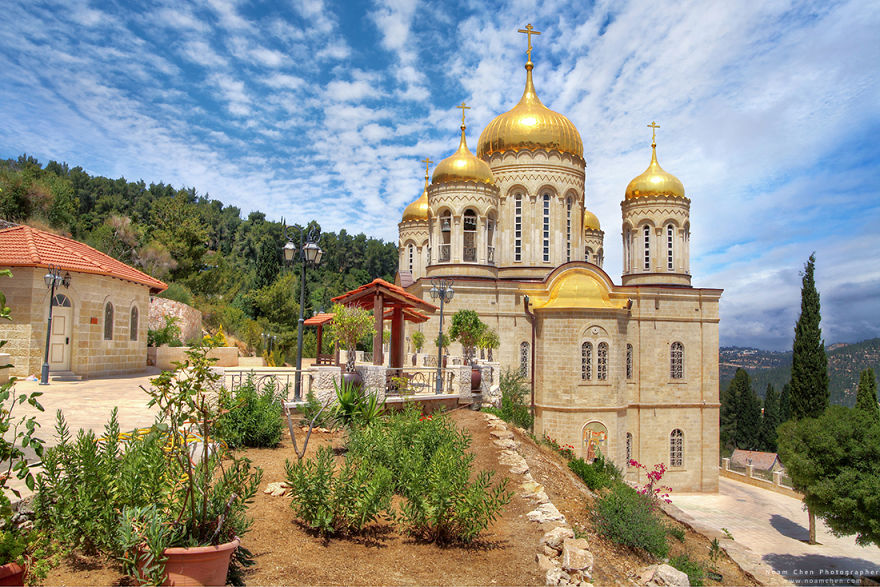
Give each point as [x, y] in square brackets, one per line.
[387, 301]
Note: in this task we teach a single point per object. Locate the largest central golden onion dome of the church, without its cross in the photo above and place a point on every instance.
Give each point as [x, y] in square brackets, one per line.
[529, 126]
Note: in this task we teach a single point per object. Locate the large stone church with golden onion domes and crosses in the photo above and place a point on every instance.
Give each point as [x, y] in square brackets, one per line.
[630, 368]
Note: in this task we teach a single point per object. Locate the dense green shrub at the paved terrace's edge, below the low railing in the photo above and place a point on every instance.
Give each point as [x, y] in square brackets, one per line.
[255, 418]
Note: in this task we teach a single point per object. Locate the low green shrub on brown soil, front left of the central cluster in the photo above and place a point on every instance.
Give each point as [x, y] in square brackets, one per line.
[344, 502]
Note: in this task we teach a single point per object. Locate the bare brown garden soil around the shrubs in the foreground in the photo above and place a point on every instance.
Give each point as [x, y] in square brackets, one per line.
[288, 553]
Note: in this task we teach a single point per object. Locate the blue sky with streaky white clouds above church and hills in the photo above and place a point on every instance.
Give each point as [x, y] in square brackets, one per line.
[318, 109]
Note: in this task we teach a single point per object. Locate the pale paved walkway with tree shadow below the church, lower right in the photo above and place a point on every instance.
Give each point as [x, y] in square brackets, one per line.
[776, 528]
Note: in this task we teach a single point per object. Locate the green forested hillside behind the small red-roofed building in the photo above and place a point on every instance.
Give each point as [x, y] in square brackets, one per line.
[227, 266]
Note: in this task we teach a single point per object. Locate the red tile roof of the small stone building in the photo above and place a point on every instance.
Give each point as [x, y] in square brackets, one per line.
[25, 246]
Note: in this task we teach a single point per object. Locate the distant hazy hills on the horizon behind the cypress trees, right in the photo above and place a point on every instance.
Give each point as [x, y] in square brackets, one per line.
[845, 362]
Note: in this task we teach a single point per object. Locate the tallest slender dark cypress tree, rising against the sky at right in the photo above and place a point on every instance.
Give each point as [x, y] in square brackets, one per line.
[809, 364]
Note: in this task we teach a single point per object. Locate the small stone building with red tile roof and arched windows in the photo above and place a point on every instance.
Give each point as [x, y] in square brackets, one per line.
[99, 322]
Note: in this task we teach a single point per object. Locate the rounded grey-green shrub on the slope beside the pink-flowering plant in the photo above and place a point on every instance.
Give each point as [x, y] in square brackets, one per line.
[626, 517]
